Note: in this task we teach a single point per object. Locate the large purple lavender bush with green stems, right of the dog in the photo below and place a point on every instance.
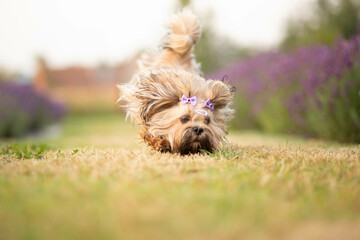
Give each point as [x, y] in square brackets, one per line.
[313, 91]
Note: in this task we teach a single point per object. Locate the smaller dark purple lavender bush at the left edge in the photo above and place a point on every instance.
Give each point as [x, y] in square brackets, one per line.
[22, 110]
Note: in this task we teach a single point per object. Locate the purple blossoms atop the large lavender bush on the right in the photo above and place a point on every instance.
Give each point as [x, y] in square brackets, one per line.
[298, 79]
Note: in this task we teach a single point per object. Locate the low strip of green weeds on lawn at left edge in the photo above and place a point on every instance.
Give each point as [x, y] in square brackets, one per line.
[23, 151]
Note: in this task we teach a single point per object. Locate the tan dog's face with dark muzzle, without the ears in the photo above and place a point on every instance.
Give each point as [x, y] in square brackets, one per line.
[185, 130]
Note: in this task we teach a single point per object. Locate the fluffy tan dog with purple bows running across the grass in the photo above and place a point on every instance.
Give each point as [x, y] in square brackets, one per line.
[176, 109]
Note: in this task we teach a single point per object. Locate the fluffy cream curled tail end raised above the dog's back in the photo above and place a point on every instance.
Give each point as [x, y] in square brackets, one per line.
[185, 31]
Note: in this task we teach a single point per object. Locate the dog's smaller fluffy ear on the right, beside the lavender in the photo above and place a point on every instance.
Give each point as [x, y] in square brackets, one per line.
[219, 93]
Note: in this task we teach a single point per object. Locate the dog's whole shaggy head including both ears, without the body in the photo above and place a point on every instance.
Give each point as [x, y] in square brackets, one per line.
[168, 123]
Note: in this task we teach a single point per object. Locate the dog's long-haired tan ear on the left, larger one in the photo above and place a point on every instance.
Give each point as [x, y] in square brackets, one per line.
[155, 93]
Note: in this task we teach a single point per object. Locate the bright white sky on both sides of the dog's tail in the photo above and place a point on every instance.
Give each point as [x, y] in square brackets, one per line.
[87, 32]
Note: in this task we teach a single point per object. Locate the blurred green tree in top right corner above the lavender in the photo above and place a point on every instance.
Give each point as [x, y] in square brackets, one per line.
[330, 20]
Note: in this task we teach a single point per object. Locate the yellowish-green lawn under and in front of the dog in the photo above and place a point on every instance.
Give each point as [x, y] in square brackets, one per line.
[97, 182]
